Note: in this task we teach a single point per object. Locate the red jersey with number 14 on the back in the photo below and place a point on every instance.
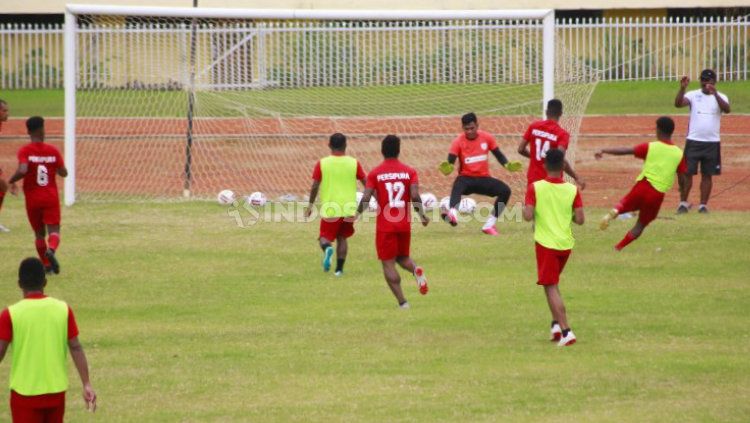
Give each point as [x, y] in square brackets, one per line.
[541, 136]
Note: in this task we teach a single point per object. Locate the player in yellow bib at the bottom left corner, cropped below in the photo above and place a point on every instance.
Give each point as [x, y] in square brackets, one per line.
[42, 331]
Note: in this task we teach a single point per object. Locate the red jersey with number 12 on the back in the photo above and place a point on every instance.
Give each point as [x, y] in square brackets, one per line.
[391, 182]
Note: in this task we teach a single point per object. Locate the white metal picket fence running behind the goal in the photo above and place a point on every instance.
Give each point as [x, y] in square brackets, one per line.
[283, 54]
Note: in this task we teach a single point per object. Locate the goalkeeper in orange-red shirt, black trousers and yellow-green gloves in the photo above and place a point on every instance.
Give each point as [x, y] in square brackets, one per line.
[471, 149]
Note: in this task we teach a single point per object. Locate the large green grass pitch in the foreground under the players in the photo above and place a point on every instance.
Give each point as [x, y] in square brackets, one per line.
[187, 317]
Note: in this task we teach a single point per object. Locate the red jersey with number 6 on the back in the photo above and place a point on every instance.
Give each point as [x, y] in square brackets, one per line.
[39, 184]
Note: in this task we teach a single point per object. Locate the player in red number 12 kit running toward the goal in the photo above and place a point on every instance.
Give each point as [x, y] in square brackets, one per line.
[394, 183]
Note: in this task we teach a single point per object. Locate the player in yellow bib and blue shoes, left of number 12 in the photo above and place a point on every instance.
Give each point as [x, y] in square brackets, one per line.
[336, 178]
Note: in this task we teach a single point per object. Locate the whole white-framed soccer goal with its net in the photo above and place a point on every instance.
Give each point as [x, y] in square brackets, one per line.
[170, 103]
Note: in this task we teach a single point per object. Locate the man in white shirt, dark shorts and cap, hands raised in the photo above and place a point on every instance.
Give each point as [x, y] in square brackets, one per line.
[702, 145]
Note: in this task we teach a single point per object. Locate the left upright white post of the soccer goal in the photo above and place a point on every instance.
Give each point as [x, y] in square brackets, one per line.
[71, 72]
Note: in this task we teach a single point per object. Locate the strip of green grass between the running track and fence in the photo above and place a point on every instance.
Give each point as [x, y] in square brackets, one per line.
[644, 97]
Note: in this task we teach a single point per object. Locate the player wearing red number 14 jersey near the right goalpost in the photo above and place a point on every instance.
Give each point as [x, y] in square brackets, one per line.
[542, 136]
